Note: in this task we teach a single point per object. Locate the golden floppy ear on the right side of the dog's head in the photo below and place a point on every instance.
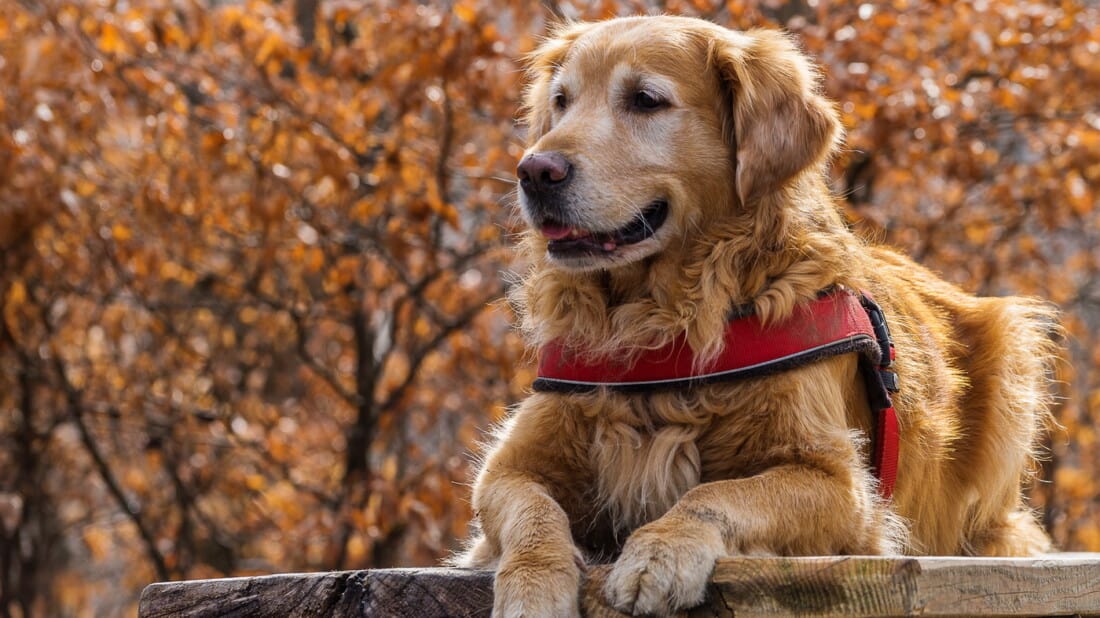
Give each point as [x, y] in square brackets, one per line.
[782, 126]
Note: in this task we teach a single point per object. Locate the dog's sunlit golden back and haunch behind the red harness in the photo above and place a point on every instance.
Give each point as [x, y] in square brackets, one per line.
[975, 406]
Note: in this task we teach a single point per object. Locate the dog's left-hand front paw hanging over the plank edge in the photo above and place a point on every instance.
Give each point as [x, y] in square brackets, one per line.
[537, 588]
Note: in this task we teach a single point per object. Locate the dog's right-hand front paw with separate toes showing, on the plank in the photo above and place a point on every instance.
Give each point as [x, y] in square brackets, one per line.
[661, 573]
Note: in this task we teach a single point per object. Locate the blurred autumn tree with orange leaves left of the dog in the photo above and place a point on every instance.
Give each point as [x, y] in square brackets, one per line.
[251, 300]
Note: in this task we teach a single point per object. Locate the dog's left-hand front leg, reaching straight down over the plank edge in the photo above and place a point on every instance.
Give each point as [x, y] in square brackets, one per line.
[540, 570]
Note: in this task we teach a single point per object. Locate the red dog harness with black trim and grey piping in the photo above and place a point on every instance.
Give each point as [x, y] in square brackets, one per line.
[840, 322]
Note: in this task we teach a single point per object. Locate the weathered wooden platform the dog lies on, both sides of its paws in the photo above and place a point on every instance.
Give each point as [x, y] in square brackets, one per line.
[1054, 586]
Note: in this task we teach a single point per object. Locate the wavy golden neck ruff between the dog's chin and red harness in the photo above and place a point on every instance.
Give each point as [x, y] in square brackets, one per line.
[772, 262]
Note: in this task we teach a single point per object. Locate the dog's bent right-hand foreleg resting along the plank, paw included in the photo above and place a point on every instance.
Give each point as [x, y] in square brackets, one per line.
[790, 510]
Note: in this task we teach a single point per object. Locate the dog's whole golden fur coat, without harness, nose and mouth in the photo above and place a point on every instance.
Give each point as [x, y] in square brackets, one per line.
[664, 484]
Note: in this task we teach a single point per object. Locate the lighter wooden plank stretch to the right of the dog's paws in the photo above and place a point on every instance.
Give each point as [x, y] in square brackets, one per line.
[905, 587]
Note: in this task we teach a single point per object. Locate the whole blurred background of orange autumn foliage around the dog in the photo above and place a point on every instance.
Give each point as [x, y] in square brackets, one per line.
[250, 257]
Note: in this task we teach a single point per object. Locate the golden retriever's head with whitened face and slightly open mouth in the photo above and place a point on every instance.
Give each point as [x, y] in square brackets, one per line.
[642, 130]
